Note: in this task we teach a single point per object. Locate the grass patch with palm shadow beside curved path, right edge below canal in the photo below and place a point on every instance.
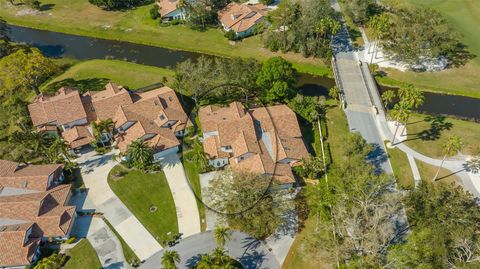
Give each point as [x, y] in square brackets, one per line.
[427, 134]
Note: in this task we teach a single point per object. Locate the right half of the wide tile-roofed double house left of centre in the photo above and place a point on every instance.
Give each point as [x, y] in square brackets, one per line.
[157, 117]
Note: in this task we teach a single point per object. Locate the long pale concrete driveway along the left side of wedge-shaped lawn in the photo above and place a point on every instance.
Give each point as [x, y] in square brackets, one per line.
[95, 169]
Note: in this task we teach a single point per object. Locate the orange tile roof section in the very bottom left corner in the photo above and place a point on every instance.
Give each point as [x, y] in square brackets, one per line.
[16, 247]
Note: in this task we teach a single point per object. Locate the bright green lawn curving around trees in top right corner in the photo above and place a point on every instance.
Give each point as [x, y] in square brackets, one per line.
[464, 15]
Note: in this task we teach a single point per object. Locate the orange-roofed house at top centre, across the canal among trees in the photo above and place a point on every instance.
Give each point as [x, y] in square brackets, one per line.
[242, 17]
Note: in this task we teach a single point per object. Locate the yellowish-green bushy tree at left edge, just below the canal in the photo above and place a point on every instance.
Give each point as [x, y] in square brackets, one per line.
[25, 70]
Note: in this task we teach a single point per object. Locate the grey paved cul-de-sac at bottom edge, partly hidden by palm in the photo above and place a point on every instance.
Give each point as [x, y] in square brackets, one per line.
[253, 254]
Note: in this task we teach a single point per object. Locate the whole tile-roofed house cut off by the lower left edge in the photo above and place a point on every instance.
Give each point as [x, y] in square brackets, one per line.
[33, 208]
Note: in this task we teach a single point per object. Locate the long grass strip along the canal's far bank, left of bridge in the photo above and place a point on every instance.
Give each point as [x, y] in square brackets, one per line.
[79, 17]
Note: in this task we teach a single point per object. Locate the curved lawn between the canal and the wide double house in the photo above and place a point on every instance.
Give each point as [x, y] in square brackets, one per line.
[94, 74]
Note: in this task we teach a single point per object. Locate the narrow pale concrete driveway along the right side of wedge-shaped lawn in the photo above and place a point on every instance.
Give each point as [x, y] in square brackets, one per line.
[185, 202]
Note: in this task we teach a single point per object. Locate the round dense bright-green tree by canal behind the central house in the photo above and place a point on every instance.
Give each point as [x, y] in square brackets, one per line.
[277, 79]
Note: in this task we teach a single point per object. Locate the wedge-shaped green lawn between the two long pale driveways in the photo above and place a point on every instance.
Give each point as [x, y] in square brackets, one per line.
[139, 192]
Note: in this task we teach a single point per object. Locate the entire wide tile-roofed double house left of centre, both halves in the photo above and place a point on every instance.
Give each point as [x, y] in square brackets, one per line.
[156, 116]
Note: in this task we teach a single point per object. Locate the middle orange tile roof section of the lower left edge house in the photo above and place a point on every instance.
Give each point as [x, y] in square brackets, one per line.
[47, 209]
